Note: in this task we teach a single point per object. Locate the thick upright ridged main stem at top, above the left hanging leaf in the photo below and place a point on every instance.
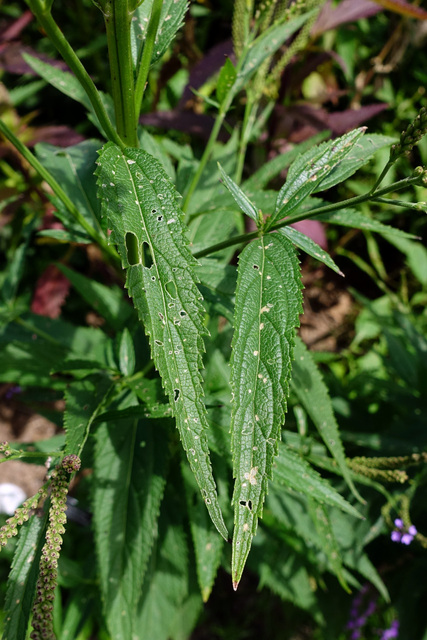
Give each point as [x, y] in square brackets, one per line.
[117, 23]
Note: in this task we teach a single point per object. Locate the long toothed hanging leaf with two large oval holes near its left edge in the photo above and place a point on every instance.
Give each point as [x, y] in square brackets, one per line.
[141, 206]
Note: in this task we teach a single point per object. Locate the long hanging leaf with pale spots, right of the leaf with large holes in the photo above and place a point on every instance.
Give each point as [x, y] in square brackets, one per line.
[268, 303]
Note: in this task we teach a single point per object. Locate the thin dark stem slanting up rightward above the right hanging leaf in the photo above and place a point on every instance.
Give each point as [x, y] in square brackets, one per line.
[247, 237]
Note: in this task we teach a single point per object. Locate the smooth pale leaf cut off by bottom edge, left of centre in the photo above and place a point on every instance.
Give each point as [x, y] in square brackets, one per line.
[166, 582]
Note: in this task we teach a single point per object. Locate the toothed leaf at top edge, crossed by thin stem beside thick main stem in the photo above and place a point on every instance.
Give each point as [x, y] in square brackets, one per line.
[171, 20]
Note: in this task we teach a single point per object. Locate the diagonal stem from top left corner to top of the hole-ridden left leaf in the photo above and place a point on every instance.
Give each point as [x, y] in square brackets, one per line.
[58, 39]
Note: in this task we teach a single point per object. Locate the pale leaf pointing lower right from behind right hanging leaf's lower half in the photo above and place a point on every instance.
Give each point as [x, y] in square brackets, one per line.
[297, 474]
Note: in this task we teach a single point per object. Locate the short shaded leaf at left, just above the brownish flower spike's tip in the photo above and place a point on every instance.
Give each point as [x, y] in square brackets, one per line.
[84, 400]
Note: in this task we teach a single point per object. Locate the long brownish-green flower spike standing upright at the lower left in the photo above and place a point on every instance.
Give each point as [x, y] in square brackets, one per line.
[42, 620]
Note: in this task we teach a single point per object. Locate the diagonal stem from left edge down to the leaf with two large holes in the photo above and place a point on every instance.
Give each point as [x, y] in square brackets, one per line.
[57, 189]
